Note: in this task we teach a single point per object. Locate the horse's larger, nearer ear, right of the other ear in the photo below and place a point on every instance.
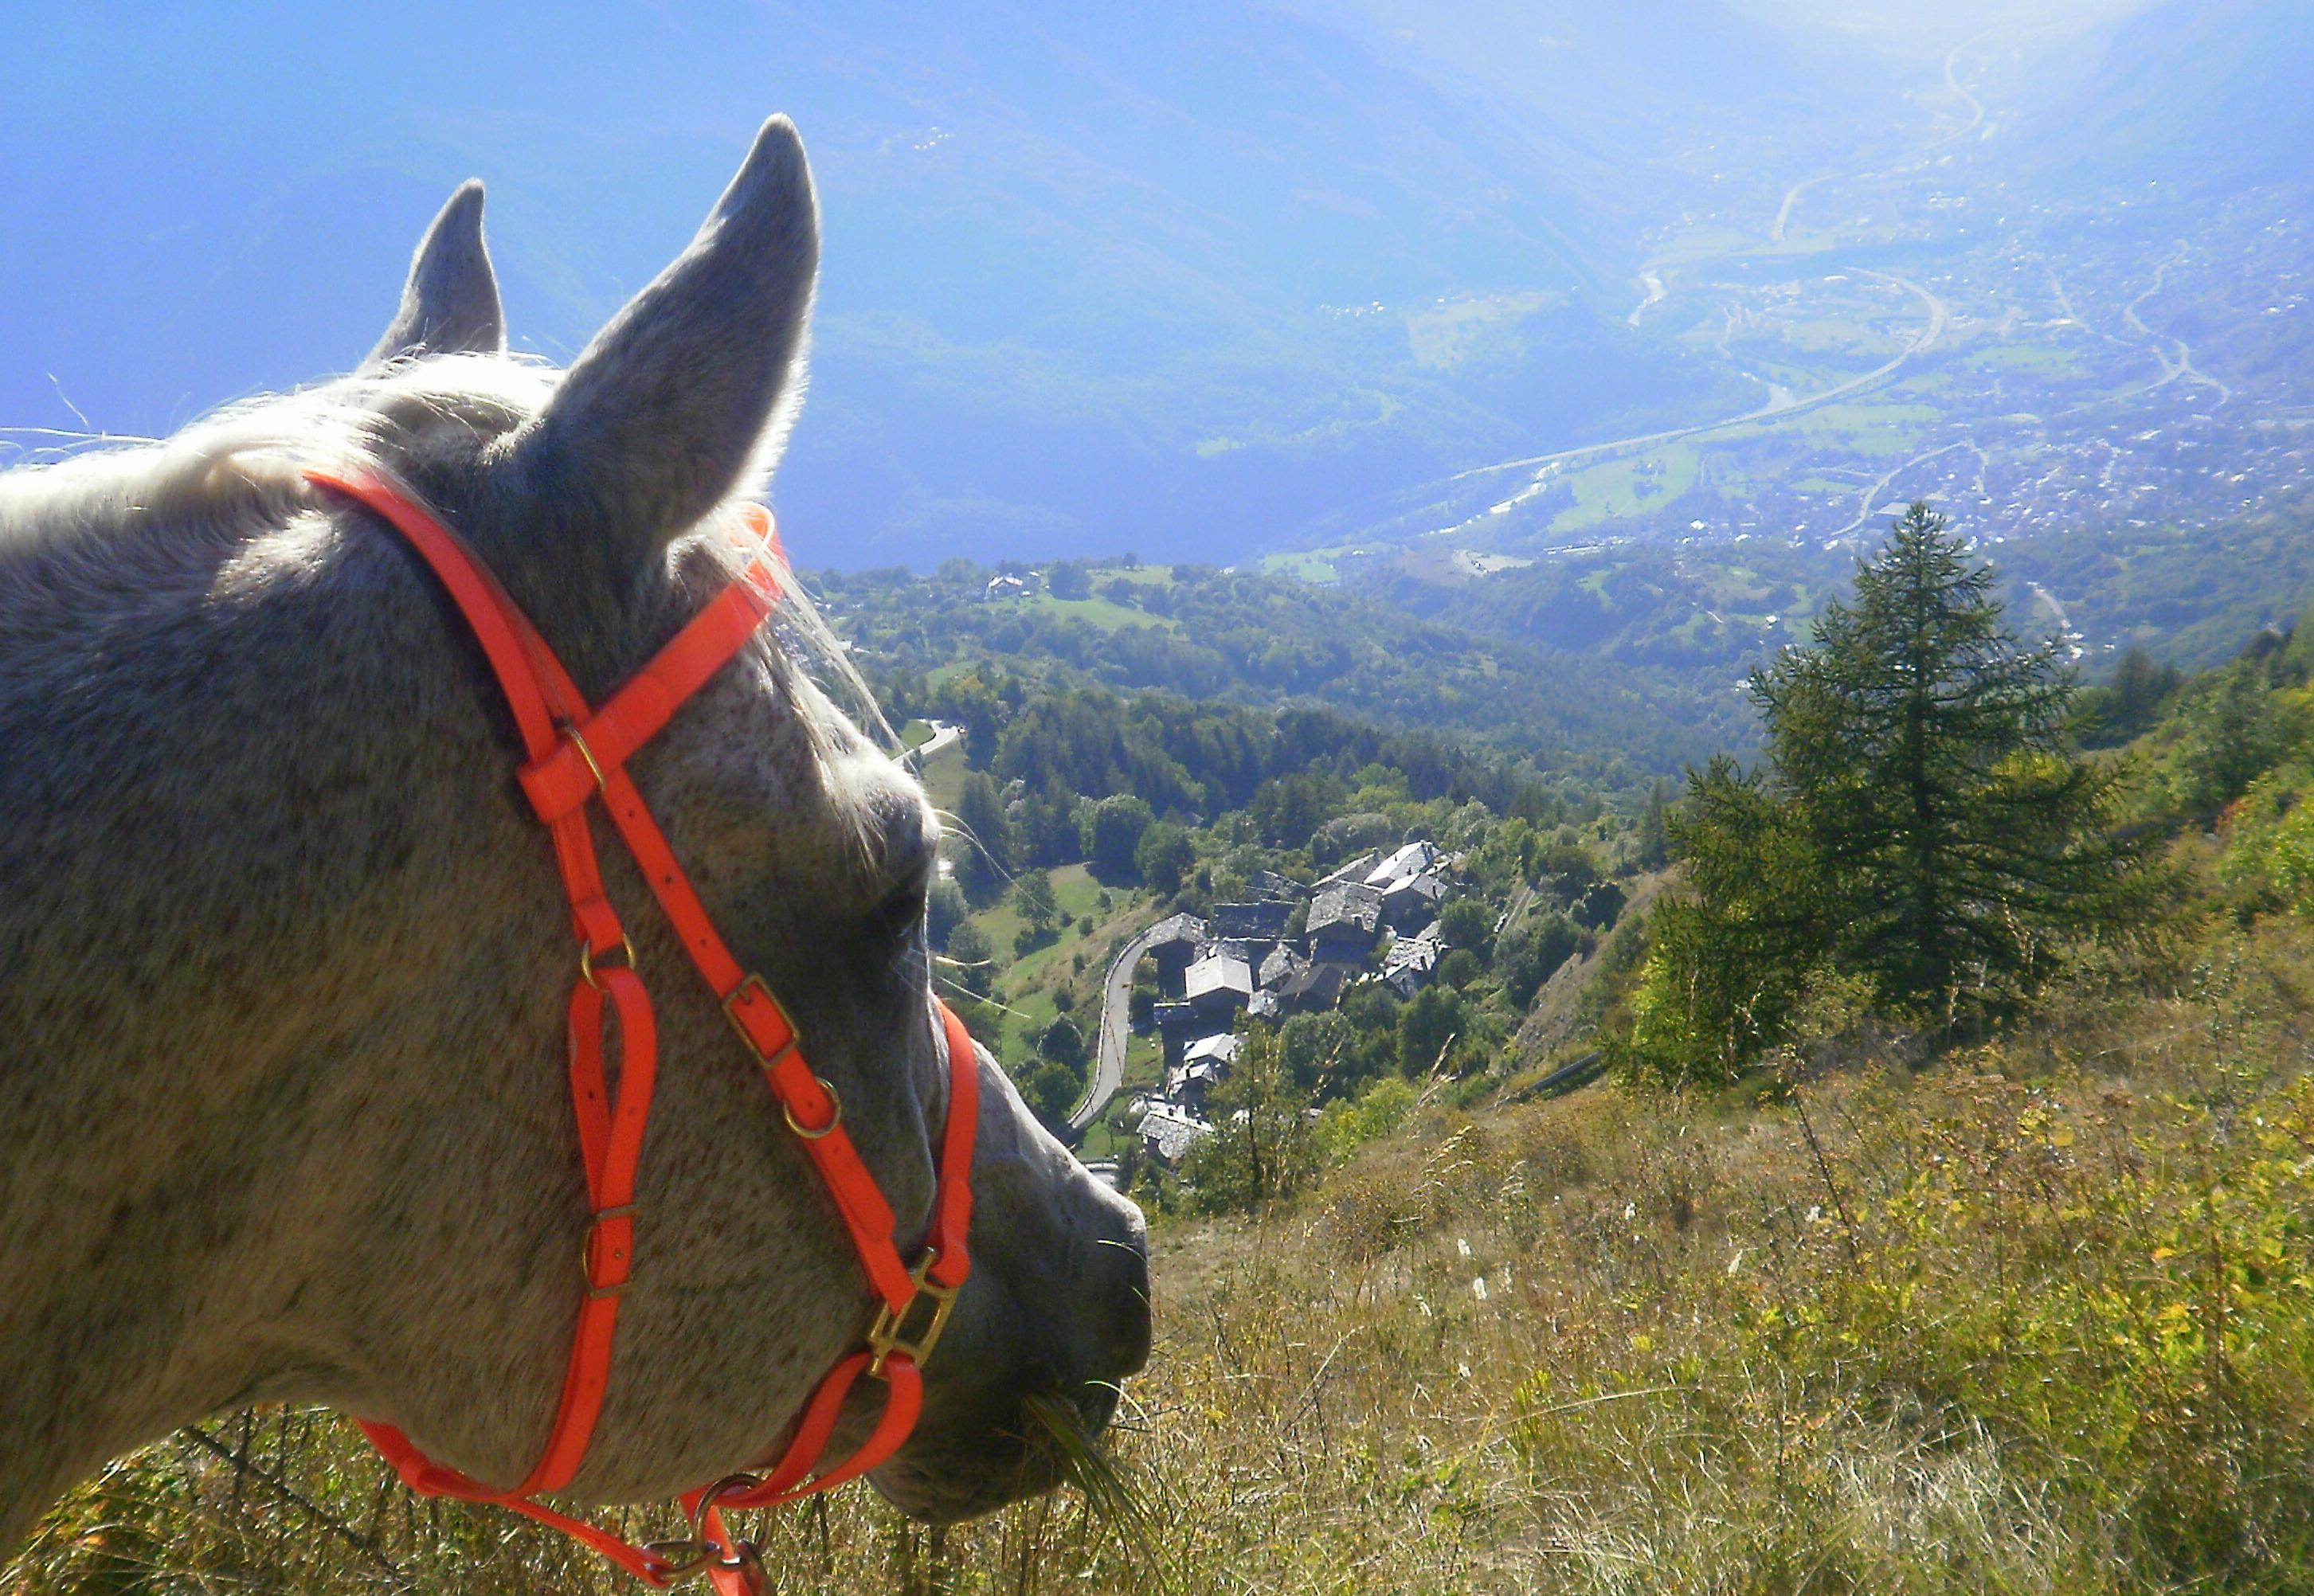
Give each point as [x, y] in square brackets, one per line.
[688, 392]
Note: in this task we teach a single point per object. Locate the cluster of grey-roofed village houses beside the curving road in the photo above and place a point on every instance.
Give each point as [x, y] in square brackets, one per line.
[1373, 919]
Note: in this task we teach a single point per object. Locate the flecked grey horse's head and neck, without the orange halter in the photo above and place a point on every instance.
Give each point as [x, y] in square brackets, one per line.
[283, 954]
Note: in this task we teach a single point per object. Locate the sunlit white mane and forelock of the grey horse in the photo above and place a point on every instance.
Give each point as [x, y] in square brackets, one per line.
[87, 503]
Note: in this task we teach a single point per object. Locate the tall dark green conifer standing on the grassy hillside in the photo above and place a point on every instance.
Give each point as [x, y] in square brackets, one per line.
[1922, 748]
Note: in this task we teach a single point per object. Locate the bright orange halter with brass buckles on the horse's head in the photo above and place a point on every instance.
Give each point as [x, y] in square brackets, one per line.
[575, 755]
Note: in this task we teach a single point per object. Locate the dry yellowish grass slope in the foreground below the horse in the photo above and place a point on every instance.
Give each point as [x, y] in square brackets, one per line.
[2031, 1322]
